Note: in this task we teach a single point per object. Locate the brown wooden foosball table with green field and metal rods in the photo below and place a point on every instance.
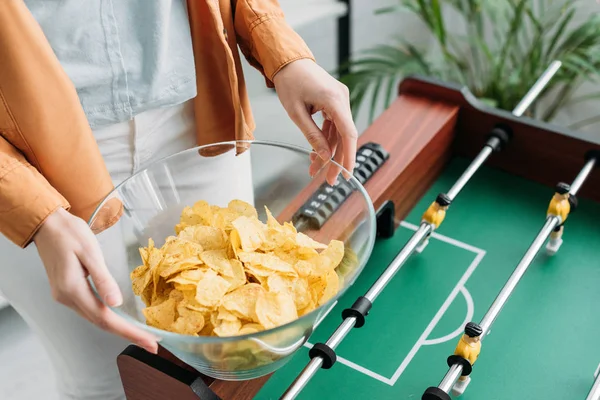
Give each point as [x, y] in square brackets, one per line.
[472, 231]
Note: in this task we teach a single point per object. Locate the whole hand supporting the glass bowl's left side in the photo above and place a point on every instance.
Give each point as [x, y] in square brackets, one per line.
[70, 252]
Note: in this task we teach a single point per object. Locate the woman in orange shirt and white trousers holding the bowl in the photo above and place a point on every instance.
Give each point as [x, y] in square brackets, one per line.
[90, 93]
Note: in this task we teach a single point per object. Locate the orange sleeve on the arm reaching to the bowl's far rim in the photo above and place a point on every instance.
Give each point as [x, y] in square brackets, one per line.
[265, 38]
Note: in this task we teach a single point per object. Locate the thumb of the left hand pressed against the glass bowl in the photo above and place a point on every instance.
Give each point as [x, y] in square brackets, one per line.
[93, 261]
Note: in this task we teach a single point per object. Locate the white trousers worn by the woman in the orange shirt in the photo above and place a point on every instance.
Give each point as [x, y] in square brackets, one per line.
[83, 356]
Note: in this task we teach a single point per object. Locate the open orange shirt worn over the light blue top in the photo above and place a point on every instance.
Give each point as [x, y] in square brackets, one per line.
[48, 155]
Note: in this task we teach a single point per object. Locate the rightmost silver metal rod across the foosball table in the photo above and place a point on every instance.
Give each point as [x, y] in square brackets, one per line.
[490, 316]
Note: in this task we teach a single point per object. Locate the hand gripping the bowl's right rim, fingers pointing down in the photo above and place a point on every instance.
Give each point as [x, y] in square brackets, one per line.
[304, 88]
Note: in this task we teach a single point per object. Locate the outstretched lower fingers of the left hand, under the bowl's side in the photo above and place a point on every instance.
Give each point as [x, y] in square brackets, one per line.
[103, 317]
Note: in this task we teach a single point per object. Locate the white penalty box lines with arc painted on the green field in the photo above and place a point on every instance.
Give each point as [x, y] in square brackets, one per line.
[423, 339]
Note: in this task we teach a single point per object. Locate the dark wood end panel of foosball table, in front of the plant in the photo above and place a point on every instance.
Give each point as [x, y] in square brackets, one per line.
[545, 153]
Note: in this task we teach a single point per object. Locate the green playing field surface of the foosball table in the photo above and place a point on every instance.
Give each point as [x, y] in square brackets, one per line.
[544, 344]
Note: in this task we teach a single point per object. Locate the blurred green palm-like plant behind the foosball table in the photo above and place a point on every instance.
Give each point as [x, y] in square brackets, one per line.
[502, 48]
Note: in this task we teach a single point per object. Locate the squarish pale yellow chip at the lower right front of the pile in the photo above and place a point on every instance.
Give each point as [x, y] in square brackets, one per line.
[275, 309]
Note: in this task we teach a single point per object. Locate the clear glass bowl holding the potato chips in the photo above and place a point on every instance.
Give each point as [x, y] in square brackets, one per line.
[263, 174]
